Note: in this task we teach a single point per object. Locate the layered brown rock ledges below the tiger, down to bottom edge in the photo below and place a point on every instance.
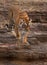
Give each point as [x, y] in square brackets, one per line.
[12, 49]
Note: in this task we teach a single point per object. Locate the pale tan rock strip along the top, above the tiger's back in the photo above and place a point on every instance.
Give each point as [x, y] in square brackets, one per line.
[29, 5]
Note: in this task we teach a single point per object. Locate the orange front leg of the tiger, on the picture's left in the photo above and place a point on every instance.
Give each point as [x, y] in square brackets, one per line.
[16, 28]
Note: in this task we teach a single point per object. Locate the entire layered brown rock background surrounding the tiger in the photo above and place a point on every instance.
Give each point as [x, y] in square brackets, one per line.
[12, 50]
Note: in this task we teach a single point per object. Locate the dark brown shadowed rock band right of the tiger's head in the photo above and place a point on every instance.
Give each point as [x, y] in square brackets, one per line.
[38, 16]
